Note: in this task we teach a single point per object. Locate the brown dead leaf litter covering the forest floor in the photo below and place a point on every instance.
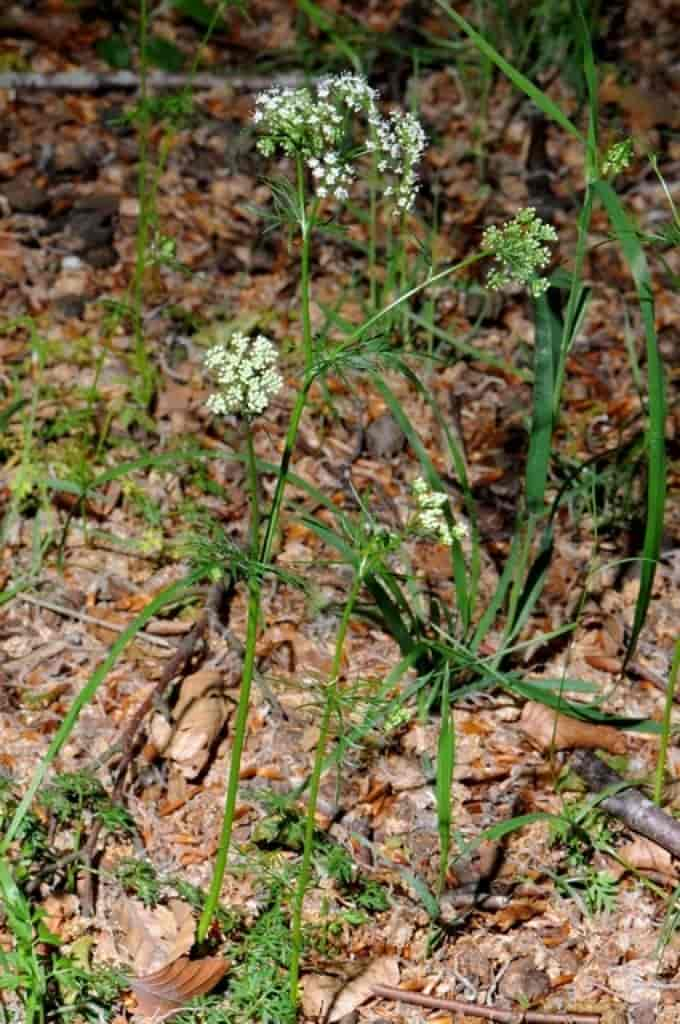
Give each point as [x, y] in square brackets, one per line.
[506, 932]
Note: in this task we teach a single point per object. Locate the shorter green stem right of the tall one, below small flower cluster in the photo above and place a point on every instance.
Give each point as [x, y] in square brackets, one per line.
[315, 784]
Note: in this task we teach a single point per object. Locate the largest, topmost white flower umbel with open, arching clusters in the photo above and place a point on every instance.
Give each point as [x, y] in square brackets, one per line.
[314, 126]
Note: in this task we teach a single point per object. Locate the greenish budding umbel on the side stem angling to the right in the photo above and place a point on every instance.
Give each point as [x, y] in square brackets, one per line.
[520, 251]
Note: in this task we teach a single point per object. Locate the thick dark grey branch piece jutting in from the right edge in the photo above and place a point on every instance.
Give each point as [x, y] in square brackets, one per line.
[630, 806]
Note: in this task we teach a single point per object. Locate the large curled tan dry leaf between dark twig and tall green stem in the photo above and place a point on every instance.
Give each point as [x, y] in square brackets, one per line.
[197, 721]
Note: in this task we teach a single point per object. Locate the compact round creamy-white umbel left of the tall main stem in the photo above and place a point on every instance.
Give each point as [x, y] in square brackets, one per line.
[246, 374]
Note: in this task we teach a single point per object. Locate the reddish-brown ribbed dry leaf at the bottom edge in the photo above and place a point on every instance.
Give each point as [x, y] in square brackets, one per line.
[166, 992]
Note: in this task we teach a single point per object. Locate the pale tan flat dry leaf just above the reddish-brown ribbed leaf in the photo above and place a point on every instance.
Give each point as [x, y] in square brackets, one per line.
[152, 938]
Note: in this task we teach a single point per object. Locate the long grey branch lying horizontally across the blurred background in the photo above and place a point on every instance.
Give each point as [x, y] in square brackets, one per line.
[90, 81]
